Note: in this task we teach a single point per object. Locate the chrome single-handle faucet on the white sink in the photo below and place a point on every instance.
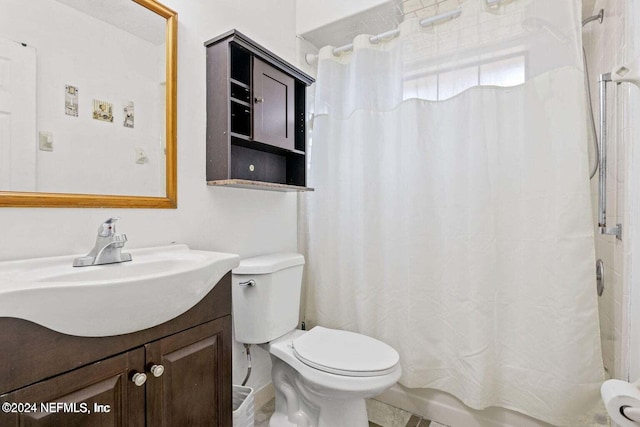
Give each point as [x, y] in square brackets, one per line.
[108, 247]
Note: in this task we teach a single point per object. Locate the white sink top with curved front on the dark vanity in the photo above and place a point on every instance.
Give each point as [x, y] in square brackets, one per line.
[158, 285]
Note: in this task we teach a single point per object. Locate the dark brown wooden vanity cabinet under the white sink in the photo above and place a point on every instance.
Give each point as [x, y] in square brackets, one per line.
[174, 374]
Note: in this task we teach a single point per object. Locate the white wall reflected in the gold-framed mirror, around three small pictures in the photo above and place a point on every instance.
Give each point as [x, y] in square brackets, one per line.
[106, 63]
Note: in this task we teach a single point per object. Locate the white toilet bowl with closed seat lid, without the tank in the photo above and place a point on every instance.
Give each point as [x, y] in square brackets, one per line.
[319, 396]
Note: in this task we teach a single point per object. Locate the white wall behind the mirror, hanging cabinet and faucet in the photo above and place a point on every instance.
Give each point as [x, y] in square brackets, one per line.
[245, 222]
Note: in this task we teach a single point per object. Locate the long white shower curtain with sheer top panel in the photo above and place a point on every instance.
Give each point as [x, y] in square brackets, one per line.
[452, 211]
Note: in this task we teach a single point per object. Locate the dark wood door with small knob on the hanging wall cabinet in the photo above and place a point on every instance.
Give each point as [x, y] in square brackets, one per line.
[274, 106]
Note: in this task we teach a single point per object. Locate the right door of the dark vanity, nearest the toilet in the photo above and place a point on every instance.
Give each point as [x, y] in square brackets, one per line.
[195, 388]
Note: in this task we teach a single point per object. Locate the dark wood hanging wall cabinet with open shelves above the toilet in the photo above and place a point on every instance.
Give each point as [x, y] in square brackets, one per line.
[256, 125]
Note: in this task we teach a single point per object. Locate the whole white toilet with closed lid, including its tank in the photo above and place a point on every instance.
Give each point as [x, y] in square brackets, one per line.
[321, 376]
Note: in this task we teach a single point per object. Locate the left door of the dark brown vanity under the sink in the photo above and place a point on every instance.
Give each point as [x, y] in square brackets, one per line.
[100, 394]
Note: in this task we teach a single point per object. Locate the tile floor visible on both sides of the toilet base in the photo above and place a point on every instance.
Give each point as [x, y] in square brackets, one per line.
[380, 415]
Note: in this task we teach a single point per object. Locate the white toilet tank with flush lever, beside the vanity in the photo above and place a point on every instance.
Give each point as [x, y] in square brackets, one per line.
[269, 306]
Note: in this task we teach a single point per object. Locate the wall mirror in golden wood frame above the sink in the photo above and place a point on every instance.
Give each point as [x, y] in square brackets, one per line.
[88, 103]
